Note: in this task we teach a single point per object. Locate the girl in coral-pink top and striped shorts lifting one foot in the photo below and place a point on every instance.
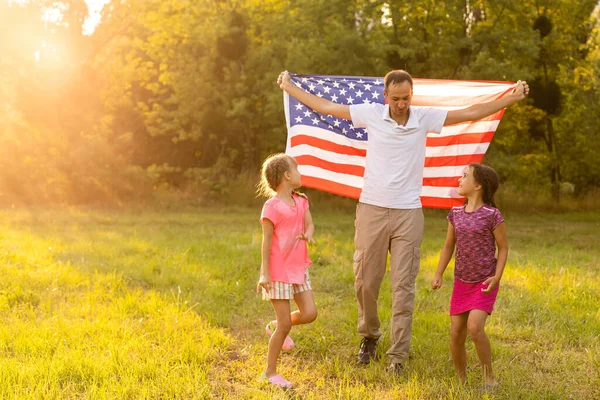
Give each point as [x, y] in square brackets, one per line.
[287, 228]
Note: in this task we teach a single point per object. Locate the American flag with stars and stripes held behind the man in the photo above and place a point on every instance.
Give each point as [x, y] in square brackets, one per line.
[331, 152]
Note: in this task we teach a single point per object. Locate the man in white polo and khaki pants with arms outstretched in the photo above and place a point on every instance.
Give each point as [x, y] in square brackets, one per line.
[389, 217]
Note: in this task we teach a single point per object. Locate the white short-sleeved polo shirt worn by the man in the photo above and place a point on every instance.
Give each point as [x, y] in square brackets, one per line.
[395, 153]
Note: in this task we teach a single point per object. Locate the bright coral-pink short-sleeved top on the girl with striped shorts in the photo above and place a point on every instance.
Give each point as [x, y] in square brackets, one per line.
[289, 255]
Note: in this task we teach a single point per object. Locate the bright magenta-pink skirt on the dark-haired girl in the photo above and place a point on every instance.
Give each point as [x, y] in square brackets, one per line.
[468, 296]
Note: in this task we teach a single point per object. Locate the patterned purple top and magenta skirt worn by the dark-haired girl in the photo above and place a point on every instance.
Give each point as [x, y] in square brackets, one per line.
[475, 258]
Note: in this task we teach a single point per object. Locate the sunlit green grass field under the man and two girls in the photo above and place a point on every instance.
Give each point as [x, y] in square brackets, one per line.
[132, 305]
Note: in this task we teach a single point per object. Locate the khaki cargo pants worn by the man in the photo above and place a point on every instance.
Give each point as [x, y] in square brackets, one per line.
[379, 230]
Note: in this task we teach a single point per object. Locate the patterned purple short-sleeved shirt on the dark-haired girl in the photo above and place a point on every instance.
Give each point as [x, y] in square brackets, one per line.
[475, 242]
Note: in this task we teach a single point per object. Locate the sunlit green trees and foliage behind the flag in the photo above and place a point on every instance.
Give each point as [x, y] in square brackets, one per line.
[191, 86]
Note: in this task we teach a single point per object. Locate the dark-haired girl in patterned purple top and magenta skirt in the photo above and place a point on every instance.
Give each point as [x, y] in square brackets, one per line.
[475, 229]
